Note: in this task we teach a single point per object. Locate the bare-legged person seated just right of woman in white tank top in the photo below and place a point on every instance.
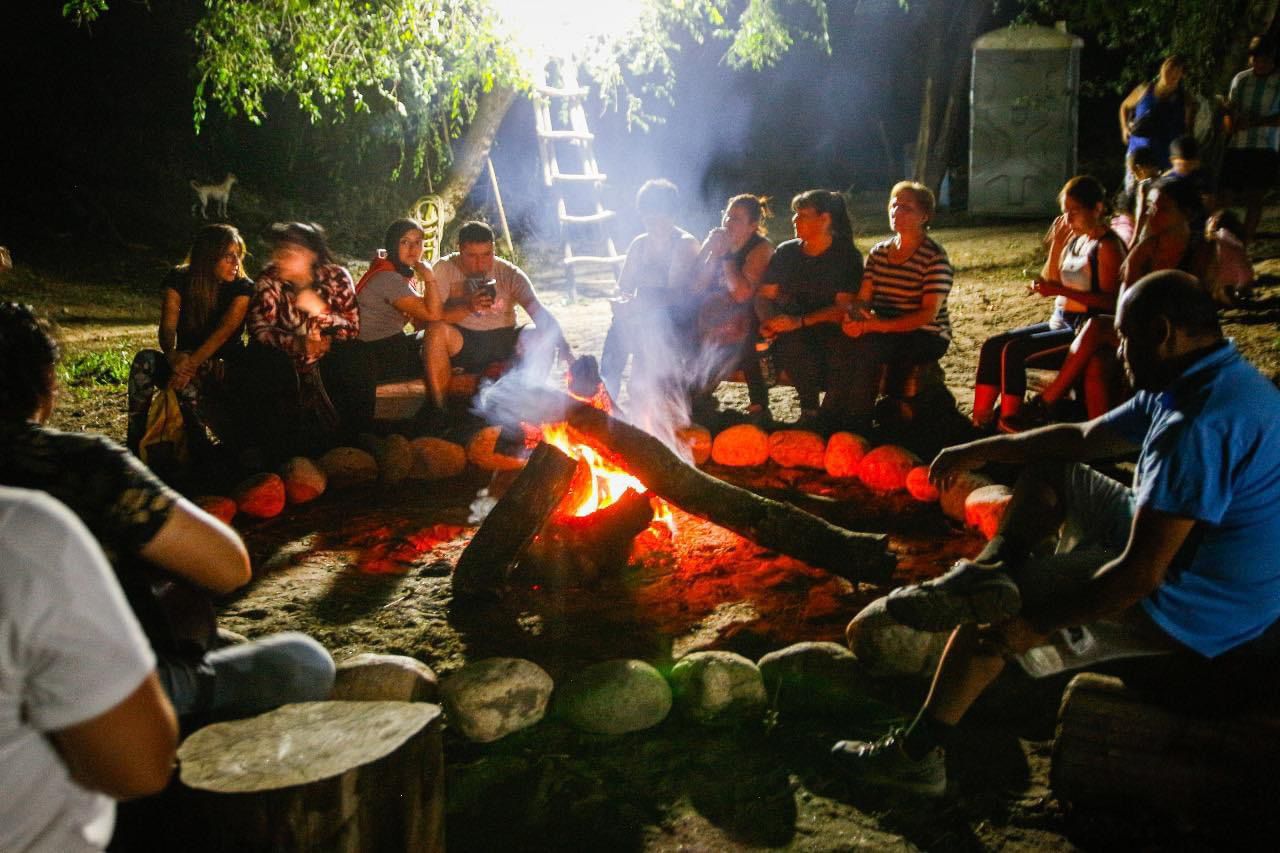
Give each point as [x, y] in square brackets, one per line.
[1167, 243]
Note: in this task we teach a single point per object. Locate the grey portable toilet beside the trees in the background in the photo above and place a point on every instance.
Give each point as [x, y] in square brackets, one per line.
[1023, 107]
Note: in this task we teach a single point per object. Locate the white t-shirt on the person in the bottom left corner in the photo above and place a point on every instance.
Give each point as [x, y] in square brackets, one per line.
[70, 651]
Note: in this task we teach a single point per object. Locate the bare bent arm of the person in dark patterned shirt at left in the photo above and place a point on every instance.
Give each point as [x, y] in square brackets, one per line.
[196, 546]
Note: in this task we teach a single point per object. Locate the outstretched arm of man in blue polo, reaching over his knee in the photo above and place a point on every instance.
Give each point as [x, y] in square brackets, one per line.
[1068, 443]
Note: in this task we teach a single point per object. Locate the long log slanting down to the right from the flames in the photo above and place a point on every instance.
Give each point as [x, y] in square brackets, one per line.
[776, 526]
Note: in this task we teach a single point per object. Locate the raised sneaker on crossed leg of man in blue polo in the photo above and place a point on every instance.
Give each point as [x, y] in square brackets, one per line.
[968, 594]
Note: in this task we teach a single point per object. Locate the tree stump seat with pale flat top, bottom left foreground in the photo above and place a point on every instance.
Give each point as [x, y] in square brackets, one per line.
[317, 777]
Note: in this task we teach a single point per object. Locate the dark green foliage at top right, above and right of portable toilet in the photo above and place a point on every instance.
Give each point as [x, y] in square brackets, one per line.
[1145, 33]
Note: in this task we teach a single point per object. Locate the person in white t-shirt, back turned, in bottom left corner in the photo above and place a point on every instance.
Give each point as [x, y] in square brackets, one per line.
[83, 718]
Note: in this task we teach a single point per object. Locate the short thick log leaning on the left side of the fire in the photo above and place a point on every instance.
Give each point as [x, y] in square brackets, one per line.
[510, 527]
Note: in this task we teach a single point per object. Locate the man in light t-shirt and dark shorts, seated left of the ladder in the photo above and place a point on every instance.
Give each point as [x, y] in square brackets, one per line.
[473, 308]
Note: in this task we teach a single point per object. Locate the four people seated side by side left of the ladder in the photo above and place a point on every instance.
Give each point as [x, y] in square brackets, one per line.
[319, 344]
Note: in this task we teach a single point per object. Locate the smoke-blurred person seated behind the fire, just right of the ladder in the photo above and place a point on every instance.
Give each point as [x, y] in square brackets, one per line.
[653, 303]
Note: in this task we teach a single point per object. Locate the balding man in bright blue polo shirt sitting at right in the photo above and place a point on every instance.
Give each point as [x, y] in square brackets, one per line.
[1185, 560]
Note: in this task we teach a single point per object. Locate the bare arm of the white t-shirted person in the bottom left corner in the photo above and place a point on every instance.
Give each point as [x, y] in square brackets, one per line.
[127, 751]
